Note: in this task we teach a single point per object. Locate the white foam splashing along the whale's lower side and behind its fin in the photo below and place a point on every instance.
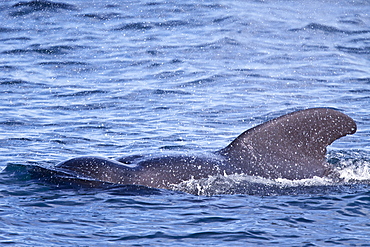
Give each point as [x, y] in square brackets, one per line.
[351, 172]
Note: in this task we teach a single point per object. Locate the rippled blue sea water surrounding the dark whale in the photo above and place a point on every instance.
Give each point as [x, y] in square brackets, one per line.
[116, 78]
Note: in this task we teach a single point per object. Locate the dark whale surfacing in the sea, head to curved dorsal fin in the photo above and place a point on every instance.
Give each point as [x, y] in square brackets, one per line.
[292, 146]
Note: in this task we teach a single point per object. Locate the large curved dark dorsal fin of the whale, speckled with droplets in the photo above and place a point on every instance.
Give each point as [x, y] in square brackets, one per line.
[292, 146]
